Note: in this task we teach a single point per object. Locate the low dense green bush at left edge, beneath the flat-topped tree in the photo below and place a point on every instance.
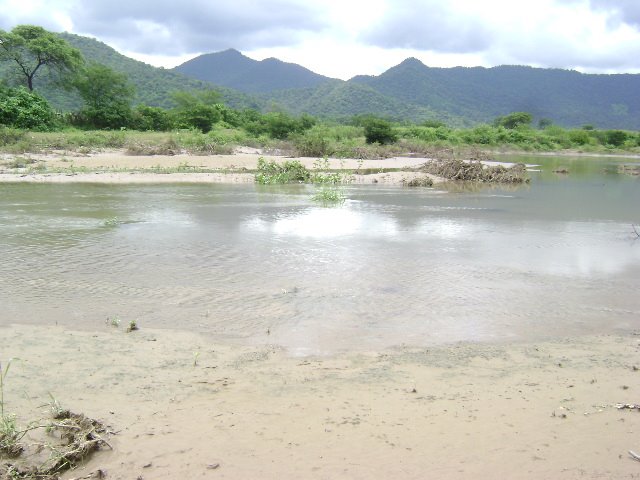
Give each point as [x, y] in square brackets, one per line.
[22, 108]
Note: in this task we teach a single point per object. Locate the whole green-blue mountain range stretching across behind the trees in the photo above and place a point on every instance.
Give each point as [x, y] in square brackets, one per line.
[409, 91]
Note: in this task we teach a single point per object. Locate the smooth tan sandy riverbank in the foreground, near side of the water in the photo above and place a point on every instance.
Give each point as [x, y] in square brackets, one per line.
[189, 406]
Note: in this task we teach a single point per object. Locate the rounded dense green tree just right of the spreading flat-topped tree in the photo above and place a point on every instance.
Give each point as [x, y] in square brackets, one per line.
[107, 96]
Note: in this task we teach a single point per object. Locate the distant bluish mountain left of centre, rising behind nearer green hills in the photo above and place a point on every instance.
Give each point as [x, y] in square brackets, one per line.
[231, 68]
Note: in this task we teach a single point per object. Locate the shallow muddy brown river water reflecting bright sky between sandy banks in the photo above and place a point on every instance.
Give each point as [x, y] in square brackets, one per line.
[393, 265]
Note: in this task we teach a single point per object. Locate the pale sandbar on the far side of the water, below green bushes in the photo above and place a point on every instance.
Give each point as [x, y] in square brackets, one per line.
[116, 167]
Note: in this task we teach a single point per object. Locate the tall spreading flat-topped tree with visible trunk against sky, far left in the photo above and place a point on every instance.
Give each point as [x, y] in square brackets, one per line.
[31, 47]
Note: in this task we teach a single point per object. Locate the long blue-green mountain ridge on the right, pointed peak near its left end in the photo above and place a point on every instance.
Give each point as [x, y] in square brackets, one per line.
[480, 94]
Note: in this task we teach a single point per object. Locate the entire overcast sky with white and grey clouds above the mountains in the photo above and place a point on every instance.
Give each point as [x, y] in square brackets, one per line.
[342, 38]
